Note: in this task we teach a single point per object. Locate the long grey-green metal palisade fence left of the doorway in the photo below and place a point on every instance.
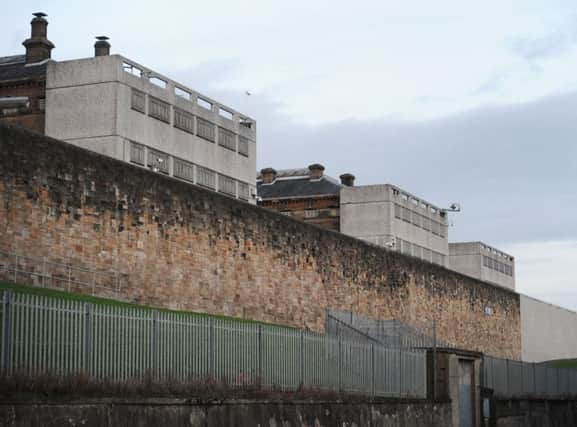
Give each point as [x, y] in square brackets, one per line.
[46, 335]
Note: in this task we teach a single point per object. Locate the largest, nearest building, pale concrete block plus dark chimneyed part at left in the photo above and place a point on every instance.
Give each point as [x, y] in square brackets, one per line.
[119, 108]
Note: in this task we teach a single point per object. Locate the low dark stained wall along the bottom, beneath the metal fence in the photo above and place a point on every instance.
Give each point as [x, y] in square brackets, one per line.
[180, 412]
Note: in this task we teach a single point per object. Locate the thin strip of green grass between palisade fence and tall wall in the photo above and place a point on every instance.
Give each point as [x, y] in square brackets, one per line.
[70, 296]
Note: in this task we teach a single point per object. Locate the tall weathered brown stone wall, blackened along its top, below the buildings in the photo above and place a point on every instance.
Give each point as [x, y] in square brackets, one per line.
[187, 248]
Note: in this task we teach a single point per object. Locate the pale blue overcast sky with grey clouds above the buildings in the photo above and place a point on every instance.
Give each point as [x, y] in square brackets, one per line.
[455, 101]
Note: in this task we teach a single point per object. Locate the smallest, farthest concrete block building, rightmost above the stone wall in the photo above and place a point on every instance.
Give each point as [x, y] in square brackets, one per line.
[481, 261]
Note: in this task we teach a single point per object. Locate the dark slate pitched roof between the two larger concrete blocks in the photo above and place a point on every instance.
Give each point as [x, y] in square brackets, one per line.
[293, 183]
